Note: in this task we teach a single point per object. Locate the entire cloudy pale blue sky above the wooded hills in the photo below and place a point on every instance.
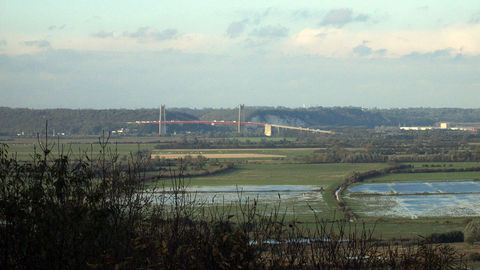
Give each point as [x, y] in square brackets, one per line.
[198, 54]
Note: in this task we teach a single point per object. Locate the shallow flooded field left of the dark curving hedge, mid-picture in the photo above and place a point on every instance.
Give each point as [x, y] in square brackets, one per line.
[293, 199]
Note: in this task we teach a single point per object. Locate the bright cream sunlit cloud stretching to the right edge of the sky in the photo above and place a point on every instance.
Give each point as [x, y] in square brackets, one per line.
[338, 42]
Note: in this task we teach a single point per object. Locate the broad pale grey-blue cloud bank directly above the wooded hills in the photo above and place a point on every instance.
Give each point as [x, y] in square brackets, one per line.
[133, 80]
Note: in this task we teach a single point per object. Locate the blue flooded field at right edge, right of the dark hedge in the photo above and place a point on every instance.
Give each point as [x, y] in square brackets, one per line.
[412, 200]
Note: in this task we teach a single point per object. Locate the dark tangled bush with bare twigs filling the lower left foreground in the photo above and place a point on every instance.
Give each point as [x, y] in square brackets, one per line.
[61, 213]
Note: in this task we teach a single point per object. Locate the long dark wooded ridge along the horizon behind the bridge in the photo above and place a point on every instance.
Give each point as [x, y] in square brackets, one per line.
[92, 122]
